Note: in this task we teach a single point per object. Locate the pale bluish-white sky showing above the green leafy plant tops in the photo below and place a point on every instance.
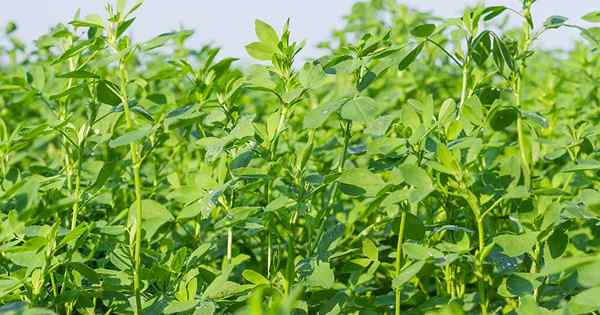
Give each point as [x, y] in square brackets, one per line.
[230, 23]
